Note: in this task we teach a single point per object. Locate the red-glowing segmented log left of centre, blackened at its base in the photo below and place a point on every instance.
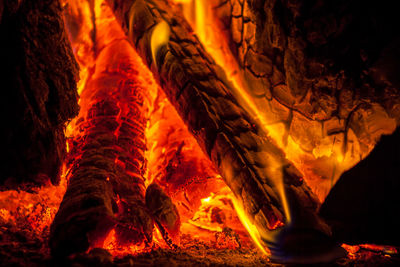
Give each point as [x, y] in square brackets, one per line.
[106, 186]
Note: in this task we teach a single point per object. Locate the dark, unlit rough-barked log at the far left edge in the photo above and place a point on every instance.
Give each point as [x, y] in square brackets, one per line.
[39, 75]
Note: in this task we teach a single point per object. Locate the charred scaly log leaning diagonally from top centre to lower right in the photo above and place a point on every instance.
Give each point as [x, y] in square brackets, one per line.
[252, 165]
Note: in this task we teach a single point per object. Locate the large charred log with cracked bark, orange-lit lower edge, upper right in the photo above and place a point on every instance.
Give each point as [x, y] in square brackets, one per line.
[320, 64]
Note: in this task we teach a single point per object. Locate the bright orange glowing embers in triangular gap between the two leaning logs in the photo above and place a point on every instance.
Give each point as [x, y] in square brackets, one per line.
[177, 163]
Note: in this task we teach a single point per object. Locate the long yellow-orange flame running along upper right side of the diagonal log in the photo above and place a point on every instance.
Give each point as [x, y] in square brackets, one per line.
[336, 158]
